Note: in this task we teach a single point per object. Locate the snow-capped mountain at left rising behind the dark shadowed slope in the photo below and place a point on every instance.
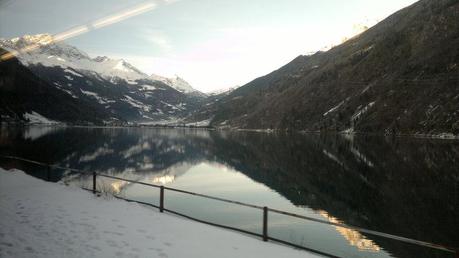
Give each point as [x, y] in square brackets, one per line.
[111, 86]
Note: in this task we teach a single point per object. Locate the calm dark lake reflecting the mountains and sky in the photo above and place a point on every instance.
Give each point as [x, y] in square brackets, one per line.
[403, 186]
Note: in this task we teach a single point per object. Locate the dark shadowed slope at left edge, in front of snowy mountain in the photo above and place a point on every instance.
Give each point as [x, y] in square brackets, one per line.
[22, 92]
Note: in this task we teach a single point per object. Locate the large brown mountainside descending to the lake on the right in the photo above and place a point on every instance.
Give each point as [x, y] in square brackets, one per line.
[401, 76]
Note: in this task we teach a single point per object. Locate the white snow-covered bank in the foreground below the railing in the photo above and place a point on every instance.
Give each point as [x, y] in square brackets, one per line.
[42, 219]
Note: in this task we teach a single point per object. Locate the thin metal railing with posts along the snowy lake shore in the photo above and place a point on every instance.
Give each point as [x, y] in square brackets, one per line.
[265, 210]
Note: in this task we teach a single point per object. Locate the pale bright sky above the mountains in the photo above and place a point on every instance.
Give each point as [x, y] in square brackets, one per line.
[213, 44]
